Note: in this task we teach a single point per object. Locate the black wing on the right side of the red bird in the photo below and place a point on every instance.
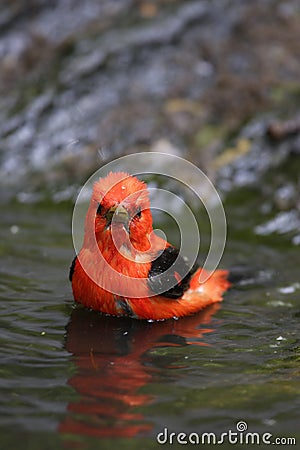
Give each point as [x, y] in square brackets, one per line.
[179, 276]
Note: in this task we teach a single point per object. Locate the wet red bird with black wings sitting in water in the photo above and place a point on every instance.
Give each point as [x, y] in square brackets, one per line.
[124, 269]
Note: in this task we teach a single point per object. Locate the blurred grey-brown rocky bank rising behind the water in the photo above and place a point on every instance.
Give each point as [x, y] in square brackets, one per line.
[82, 82]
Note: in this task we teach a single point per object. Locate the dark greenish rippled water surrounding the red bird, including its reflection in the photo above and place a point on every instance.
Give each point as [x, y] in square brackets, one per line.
[71, 378]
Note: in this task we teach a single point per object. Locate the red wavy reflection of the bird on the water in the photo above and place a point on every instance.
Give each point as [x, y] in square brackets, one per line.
[113, 361]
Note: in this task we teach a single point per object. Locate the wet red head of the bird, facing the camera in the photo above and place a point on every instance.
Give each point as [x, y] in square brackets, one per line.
[120, 206]
